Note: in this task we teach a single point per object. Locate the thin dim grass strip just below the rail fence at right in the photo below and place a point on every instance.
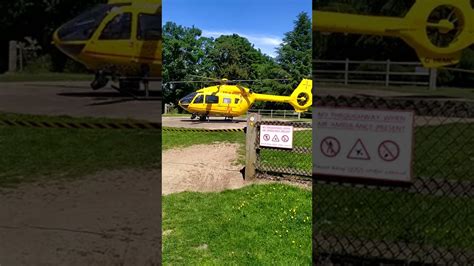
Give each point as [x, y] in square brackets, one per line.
[465, 93]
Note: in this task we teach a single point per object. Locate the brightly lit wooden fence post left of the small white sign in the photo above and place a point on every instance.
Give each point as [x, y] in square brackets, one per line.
[250, 149]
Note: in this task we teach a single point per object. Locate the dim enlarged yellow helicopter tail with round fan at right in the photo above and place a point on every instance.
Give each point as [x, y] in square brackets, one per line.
[438, 30]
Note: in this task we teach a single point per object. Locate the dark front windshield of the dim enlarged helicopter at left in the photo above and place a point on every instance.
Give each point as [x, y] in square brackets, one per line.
[83, 27]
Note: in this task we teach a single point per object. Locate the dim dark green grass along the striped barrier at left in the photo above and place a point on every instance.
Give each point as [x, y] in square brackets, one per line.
[32, 154]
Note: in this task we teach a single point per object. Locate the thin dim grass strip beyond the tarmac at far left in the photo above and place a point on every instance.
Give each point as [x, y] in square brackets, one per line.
[48, 76]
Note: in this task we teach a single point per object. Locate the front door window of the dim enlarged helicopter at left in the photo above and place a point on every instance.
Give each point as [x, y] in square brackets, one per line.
[119, 28]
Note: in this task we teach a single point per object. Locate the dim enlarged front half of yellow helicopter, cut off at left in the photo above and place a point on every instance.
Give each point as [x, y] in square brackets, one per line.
[120, 40]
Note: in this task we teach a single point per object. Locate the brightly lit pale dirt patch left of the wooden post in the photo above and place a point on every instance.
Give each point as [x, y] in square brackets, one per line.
[202, 168]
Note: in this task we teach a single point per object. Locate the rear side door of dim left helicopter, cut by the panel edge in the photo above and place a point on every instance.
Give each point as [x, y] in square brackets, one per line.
[148, 42]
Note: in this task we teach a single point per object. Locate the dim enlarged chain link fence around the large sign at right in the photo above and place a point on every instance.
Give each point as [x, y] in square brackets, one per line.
[429, 222]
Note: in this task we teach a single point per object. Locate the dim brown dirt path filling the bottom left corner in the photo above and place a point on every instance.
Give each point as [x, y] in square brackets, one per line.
[109, 218]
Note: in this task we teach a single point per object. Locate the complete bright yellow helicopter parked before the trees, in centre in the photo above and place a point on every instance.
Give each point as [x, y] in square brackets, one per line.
[229, 101]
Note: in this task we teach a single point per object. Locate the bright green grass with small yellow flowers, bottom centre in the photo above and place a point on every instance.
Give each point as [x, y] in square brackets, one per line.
[260, 224]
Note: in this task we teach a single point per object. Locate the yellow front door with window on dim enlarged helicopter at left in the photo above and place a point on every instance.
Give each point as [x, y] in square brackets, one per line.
[112, 44]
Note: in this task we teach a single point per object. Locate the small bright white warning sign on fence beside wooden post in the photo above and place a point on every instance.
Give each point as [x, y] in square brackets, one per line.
[276, 136]
